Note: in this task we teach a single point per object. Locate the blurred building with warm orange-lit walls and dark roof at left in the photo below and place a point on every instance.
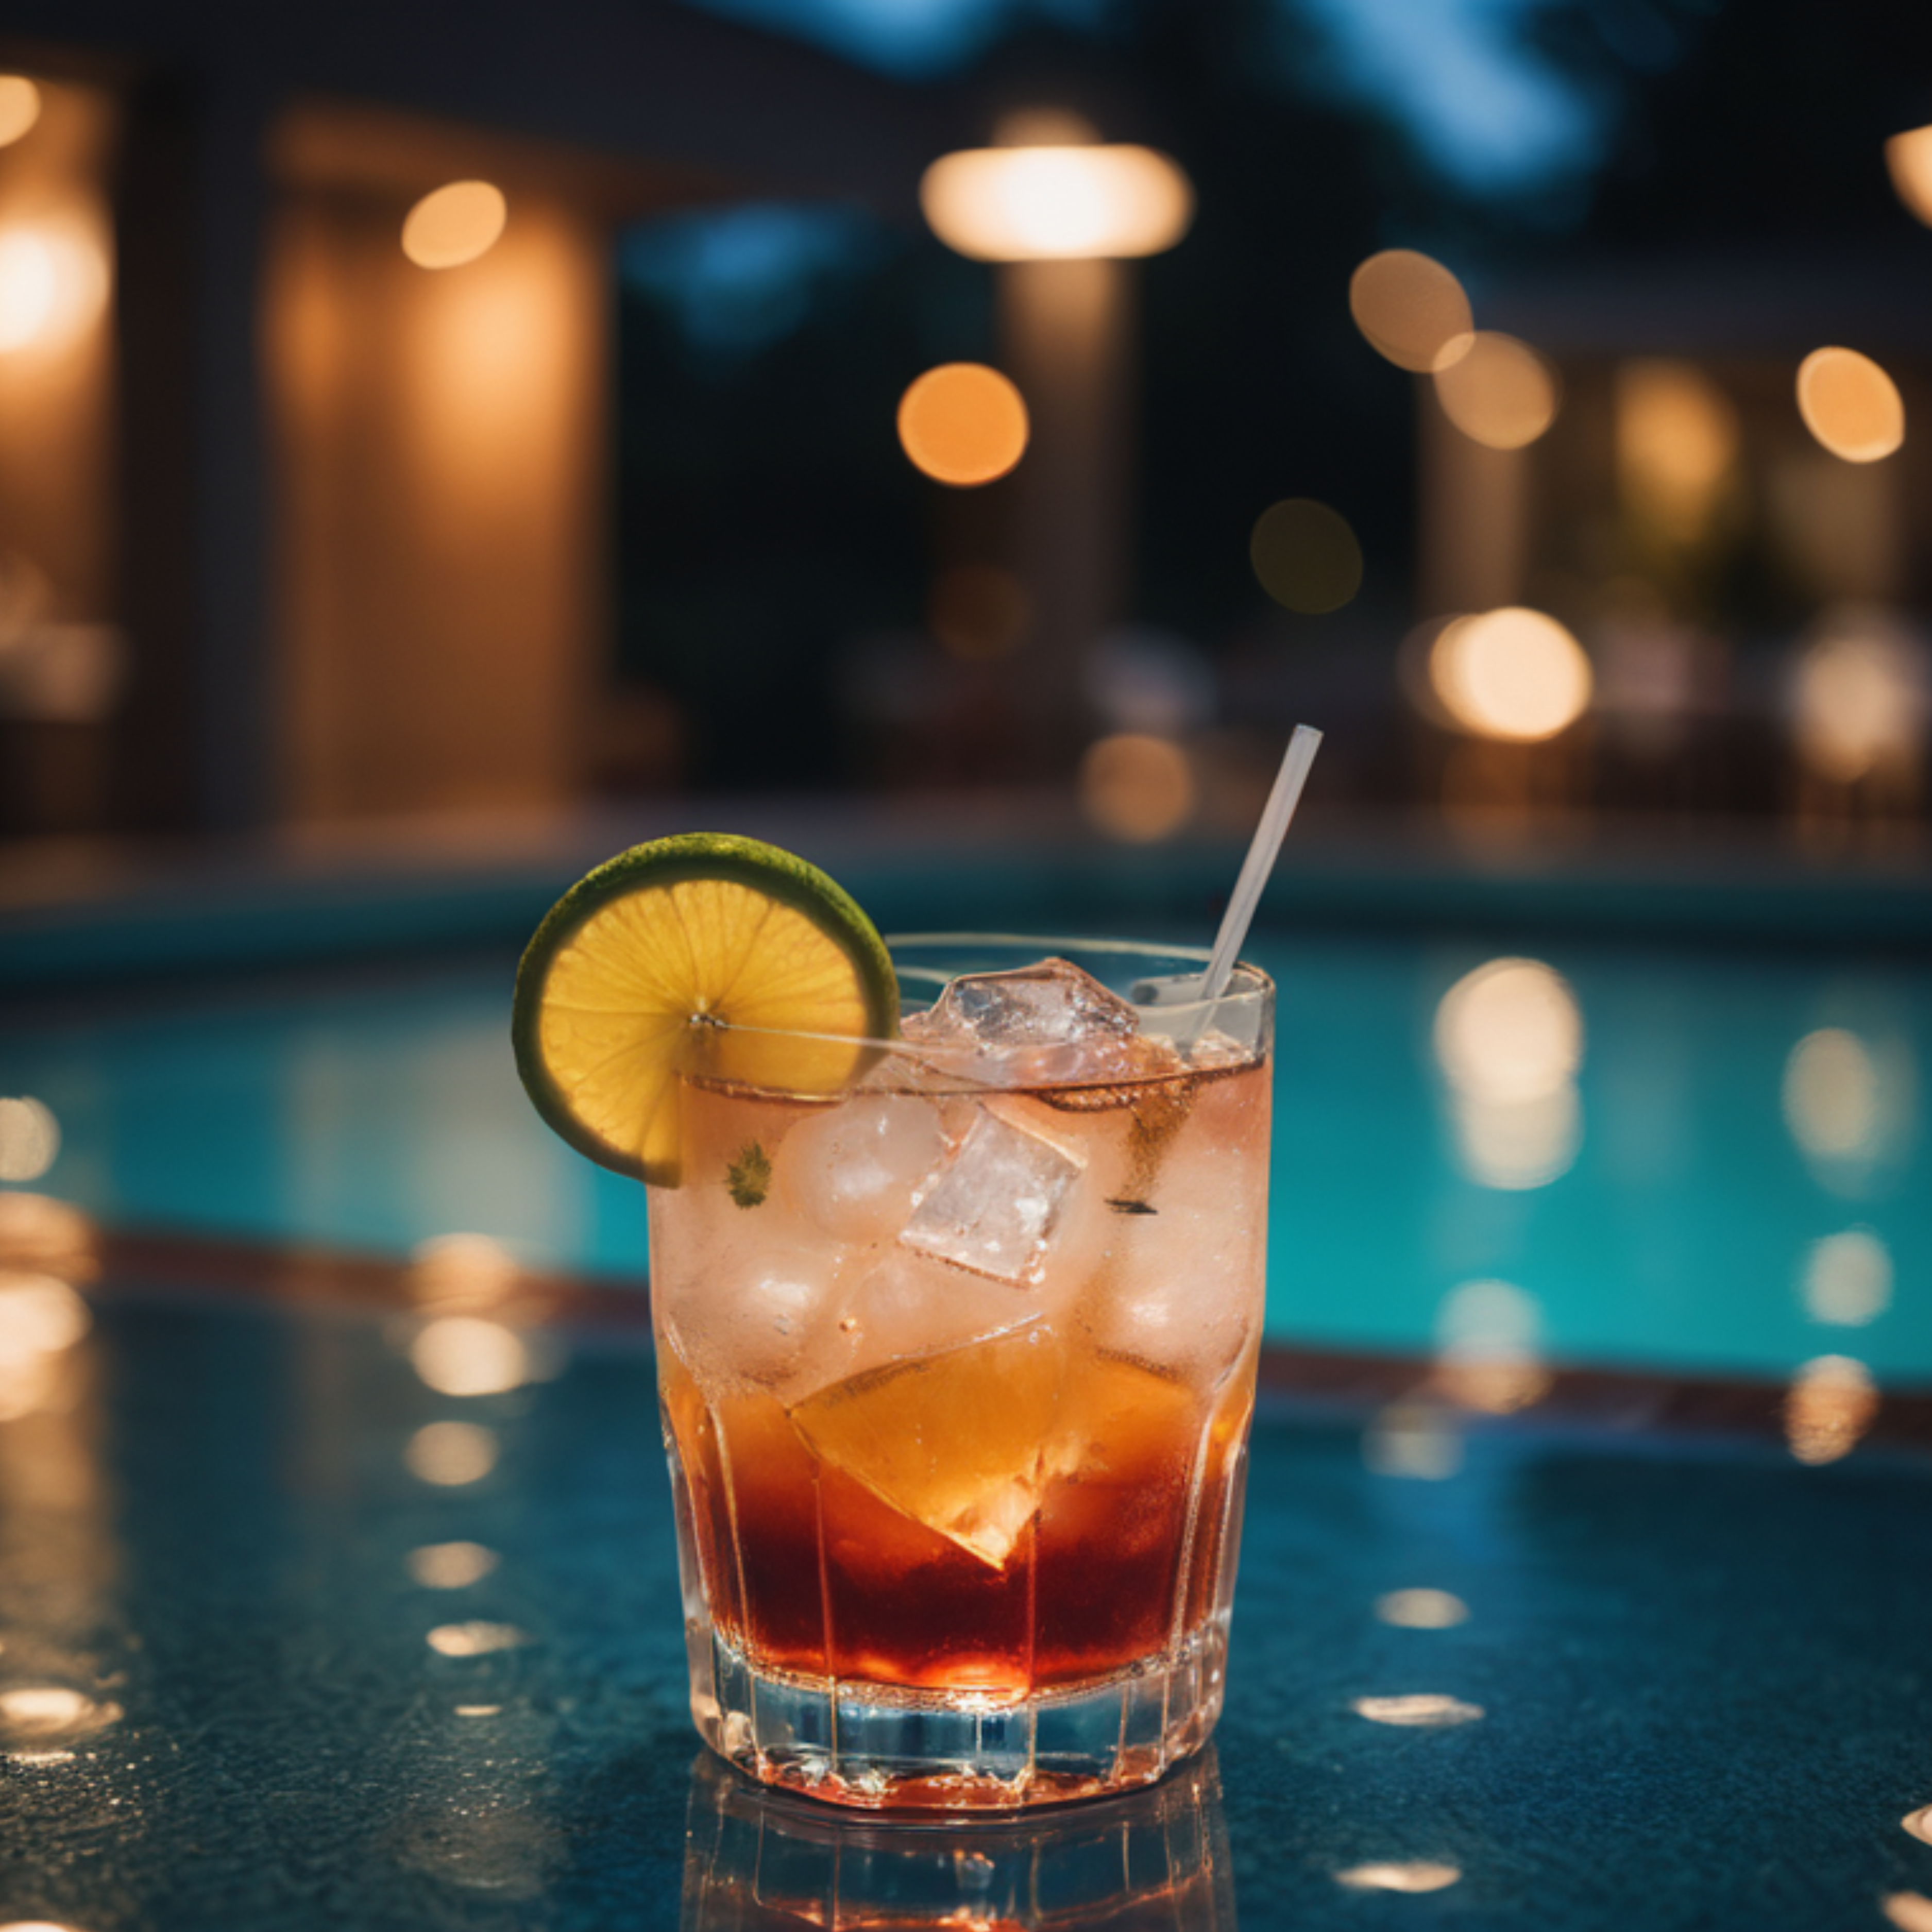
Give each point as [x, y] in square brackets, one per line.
[293, 526]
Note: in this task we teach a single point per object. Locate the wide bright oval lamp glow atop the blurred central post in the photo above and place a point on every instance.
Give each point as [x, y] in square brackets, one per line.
[1058, 202]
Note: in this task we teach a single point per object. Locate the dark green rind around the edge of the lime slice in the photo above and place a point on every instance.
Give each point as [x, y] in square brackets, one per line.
[656, 867]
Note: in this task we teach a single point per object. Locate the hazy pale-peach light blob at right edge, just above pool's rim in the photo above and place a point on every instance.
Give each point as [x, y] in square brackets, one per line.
[1861, 696]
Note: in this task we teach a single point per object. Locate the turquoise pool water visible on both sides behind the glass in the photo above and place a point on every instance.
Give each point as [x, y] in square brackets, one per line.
[1608, 1154]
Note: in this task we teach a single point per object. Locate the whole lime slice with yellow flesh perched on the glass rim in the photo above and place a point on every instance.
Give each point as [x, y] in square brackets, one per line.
[693, 955]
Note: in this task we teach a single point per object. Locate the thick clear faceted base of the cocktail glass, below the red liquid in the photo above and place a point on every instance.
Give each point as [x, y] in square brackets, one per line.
[878, 1747]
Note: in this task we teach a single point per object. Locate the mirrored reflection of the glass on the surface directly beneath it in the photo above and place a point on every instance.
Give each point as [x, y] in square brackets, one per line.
[760, 1861]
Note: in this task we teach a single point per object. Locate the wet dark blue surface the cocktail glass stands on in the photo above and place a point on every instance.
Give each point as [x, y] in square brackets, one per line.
[343, 1616]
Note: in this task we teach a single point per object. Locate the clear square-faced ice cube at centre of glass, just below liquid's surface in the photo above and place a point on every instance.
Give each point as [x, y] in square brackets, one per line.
[996, 1203]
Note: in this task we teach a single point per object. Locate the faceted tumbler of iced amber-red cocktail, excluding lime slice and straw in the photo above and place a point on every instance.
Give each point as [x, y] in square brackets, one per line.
[957, 1373]
